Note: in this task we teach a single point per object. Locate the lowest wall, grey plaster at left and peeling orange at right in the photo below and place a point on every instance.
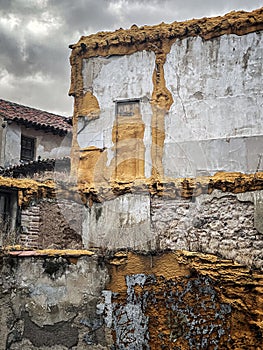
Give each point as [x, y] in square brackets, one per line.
[129, 301]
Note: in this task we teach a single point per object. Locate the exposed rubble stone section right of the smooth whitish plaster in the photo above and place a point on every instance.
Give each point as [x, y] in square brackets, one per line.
[221, 223]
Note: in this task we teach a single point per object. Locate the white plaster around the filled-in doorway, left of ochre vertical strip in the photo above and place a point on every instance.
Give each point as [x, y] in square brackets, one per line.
[116, 78]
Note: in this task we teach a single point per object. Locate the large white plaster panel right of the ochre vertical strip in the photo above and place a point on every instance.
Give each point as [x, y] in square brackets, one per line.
[215, 122]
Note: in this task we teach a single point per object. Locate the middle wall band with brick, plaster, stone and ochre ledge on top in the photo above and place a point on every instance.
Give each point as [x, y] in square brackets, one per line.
[176, 215]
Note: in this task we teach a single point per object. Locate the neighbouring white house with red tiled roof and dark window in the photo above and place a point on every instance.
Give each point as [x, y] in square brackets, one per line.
[29, 134]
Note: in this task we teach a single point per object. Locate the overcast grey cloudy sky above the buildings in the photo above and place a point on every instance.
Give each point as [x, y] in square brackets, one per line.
[35, 34]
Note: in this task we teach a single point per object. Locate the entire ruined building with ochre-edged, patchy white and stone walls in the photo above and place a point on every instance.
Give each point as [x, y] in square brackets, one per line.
[166, 182]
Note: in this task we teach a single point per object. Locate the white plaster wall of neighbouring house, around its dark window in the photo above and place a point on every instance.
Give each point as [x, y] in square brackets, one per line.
[48, 145]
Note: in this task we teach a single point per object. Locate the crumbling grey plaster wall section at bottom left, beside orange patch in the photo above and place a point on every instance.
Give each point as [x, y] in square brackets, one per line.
[50, 306]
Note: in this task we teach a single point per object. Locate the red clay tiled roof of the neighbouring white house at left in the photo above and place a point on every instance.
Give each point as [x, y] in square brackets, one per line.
[35, 118]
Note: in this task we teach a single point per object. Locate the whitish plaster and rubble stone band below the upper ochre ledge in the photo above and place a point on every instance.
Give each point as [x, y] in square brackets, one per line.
[222, 223]
